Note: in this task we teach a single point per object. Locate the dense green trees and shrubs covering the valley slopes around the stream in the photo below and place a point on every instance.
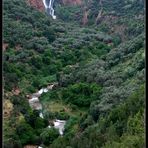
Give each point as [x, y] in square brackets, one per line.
[100, 69]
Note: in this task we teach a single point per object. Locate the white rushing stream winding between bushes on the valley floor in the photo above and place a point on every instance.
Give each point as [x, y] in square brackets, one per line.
[35, 104]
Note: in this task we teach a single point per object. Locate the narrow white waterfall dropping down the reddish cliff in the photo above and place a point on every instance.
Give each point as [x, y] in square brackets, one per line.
[49, 7]
